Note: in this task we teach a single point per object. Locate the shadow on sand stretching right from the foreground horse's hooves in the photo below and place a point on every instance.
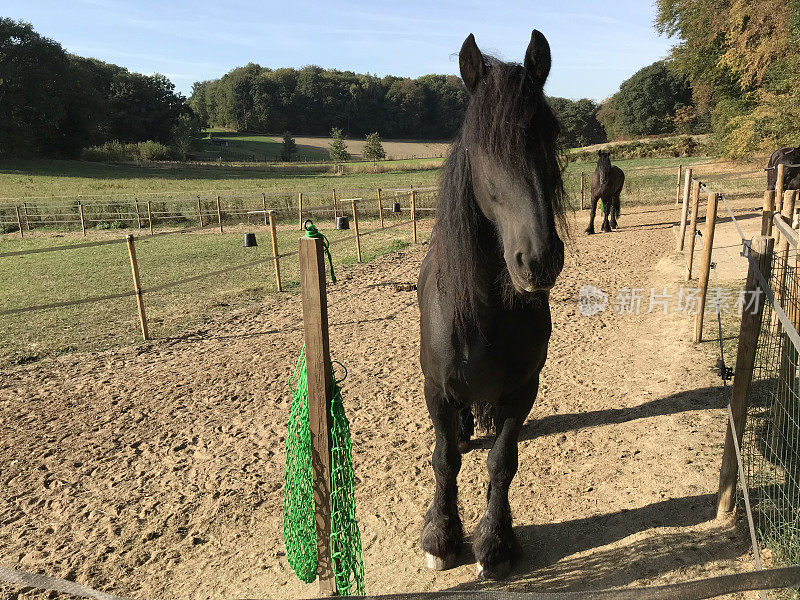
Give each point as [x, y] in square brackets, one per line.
[559, 556]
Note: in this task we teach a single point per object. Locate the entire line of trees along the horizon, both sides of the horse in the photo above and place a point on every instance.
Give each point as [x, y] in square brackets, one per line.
[736, 75]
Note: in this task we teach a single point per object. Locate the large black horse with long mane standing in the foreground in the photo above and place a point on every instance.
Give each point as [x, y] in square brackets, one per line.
[484, 290]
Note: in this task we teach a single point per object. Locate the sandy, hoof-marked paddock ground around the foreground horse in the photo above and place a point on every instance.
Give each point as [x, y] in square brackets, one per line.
[156, 471]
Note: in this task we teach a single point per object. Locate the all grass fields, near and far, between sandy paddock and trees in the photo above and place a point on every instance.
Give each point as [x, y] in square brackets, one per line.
[79, 273]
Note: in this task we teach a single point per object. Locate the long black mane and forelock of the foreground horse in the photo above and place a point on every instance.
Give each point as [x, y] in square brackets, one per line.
[509, 119]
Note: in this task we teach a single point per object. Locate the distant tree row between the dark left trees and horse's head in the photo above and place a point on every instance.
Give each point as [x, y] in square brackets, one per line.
[312, 100]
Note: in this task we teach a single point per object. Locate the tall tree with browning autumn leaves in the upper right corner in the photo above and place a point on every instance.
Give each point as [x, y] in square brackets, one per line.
[742, 58]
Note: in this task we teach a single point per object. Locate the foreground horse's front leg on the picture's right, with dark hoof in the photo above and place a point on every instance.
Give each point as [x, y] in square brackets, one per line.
[494, 543]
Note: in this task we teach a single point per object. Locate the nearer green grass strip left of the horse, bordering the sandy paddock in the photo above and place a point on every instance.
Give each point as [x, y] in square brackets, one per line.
[72, 274]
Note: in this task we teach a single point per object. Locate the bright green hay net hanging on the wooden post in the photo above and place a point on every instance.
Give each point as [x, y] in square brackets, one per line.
[299, 524]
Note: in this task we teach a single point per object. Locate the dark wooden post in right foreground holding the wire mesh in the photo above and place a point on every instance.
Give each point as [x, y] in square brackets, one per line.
[761, 250]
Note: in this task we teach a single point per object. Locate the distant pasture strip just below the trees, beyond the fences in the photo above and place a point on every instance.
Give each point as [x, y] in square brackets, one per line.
[648, 180]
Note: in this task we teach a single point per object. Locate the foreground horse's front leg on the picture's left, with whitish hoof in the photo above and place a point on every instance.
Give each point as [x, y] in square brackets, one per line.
[443, 533]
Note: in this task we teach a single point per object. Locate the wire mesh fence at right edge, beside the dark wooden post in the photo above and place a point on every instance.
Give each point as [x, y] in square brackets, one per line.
[771, 448]
